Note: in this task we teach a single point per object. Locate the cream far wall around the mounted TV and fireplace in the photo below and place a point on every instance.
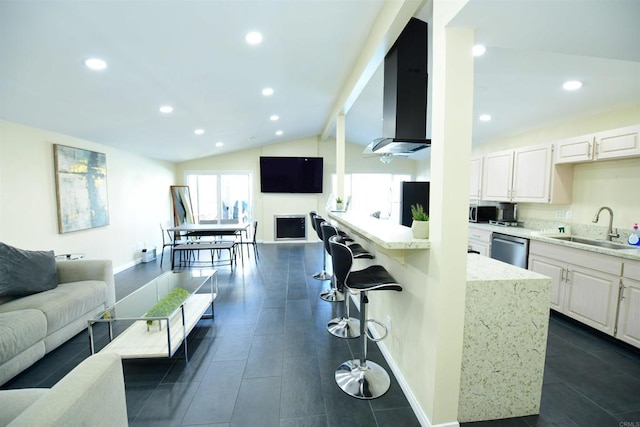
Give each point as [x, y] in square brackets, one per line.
[265, 206]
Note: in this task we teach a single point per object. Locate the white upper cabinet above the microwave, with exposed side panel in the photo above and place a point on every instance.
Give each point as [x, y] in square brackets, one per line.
[525, 174]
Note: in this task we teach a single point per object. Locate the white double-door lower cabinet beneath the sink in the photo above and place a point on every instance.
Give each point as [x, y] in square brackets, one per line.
[585, 285]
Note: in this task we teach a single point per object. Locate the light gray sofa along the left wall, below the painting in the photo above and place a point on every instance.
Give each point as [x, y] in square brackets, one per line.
[32, 326]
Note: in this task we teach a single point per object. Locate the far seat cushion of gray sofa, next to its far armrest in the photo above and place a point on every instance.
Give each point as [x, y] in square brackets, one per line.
[64, 304]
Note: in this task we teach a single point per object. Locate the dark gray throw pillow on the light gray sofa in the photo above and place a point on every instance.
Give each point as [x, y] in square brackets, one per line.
[25, 272]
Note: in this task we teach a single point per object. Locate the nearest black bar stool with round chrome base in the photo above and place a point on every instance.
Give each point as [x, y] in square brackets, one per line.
[362, 378]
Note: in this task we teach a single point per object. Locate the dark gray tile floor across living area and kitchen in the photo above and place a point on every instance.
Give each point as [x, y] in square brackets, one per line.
[267, 360]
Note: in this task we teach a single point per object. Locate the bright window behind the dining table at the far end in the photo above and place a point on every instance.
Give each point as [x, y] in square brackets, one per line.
[220, 196]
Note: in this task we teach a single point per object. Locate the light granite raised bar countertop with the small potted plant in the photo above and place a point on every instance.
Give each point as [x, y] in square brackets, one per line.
[382, 232]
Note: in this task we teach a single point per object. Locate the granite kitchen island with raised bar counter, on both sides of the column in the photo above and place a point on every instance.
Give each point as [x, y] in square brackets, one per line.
[505, 327]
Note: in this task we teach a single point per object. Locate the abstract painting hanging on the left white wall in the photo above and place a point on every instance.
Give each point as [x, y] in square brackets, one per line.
[81, 188]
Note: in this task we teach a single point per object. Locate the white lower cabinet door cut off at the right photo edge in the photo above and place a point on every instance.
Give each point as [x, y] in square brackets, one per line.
[628, 329]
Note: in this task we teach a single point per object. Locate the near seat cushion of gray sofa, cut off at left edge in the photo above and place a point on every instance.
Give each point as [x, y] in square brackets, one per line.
[19, 330]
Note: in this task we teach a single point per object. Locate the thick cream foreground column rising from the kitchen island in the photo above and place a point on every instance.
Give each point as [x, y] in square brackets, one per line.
[451, 114]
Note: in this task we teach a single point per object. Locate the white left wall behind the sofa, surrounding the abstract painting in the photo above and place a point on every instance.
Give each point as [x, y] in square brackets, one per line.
[138, 190]
